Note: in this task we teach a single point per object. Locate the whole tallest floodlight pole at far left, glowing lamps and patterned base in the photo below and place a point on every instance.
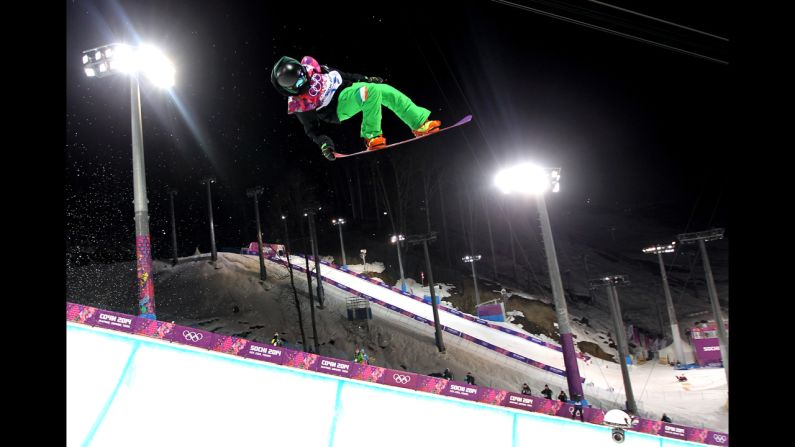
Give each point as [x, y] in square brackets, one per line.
[120, 58]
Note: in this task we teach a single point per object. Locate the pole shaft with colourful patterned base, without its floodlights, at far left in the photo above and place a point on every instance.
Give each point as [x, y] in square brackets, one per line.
[143, 247]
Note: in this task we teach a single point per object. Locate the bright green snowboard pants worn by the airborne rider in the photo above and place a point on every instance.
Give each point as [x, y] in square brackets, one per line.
[367, 98]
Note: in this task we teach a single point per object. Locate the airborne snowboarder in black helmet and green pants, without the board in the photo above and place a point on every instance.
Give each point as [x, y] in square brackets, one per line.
[316, 92]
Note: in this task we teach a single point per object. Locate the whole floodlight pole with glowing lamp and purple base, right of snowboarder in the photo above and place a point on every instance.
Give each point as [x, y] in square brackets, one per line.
[534, 181]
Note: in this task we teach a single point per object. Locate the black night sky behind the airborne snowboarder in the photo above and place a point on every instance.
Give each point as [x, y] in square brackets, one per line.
[632, 125]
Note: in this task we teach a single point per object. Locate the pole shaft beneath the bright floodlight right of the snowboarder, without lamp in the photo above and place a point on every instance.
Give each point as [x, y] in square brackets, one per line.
[566, 341]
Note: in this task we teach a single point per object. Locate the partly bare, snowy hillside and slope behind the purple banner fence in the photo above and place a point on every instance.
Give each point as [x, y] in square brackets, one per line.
[229, 299]
